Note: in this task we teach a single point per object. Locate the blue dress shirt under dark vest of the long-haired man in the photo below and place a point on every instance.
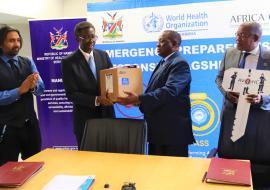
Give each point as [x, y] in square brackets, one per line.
[10, 96]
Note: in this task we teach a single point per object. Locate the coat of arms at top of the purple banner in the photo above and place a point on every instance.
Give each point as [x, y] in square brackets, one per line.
[58, 40]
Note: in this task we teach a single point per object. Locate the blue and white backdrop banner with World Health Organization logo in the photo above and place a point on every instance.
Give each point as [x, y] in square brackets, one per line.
[128, 31]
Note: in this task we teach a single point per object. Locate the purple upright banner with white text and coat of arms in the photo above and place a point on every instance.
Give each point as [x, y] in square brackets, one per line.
[51, 40]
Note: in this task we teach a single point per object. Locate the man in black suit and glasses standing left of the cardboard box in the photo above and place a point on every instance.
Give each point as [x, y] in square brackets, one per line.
[80, 72]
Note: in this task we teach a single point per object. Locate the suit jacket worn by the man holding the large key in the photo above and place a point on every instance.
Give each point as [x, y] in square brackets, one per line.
[254, 144]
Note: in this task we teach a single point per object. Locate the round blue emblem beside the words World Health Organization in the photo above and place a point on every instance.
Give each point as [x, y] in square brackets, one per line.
[153, 23]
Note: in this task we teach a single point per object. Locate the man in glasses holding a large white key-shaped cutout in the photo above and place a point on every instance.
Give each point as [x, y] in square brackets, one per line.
[254, 145]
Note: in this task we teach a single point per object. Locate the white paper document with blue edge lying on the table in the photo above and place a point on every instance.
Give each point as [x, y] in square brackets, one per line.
[70, 182]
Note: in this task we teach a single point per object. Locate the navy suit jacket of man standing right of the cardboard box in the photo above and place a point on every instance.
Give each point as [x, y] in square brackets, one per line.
[166, 103]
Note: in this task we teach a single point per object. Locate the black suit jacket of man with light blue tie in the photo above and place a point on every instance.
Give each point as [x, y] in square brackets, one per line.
[82, 87]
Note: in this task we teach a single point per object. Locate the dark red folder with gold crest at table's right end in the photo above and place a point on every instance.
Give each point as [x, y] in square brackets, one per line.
[229, 171]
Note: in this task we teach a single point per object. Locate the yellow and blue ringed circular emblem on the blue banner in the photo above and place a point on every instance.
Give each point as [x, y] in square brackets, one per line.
[204, 113]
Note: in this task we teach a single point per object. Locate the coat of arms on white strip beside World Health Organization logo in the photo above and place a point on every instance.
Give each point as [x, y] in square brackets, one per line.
[113, 27]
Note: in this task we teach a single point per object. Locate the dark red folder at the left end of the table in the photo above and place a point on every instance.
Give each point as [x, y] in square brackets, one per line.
[14, 174]
